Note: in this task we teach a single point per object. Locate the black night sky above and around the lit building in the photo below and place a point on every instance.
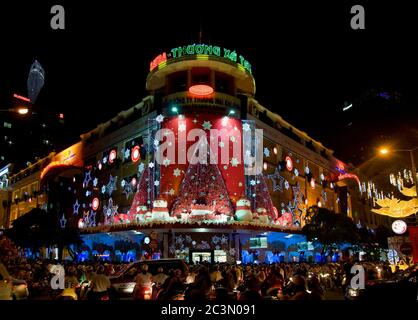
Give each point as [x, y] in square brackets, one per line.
[306, 61]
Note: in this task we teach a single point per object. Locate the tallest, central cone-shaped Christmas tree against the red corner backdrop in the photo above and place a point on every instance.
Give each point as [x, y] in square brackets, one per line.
[204, 185]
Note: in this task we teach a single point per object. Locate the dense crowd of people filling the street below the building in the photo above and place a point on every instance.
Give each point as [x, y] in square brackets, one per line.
[293, 281]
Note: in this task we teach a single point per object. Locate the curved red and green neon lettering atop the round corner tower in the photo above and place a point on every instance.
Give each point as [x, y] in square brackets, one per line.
[202, 49]
